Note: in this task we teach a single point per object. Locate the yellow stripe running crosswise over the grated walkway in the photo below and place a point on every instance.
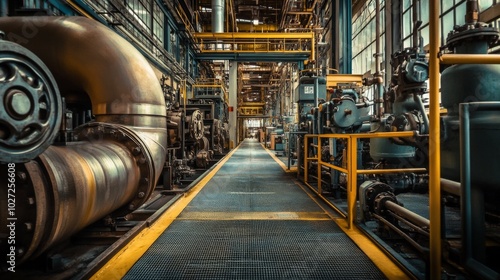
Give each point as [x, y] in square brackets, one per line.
[217, 216]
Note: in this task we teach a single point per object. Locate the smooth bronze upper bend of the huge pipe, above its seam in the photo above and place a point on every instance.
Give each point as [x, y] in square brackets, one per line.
[90, 58]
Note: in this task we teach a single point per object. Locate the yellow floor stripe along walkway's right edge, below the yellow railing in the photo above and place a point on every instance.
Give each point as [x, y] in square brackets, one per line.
[371, 250]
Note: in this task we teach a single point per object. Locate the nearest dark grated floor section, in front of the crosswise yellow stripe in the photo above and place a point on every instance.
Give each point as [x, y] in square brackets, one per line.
[254, 250]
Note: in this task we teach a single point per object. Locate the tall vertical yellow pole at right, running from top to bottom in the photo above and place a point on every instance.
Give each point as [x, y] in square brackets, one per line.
[434, 144]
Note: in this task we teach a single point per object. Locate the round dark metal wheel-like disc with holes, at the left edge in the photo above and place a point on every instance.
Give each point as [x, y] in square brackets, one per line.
[30, 104]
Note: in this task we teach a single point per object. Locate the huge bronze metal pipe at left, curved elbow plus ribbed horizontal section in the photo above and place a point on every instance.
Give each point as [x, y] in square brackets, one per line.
[119, 157]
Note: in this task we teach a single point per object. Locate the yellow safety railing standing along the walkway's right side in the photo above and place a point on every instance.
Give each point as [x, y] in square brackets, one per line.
[352, 163]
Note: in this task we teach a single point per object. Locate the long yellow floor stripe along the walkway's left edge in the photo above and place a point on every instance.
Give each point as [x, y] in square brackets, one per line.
[121, 262]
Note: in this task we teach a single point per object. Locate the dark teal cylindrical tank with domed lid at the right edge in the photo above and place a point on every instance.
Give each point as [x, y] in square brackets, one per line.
[471, 83]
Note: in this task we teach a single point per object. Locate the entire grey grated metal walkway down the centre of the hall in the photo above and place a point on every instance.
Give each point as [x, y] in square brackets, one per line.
[253, 221]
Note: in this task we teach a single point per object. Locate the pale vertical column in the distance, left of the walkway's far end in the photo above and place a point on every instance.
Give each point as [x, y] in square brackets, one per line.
[233, 102]
